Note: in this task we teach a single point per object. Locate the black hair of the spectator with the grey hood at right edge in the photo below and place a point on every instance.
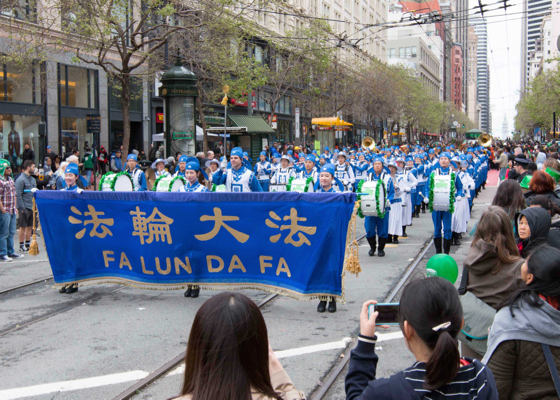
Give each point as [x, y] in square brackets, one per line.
[544, 264]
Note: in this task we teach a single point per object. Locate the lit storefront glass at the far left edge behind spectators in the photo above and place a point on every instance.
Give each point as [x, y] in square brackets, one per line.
[22, 97]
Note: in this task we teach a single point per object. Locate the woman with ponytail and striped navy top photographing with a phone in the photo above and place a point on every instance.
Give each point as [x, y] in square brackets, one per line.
[430, 318]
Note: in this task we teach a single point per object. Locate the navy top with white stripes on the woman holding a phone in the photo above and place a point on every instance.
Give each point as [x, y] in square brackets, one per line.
[361, 383]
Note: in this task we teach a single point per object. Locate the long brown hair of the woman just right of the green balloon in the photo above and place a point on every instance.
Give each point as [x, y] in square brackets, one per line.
[495, 227]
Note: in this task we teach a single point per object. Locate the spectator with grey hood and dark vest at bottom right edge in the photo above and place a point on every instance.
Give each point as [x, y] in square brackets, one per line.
[515, 345]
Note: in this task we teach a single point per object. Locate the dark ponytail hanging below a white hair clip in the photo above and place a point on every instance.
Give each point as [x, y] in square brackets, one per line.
[443, 365]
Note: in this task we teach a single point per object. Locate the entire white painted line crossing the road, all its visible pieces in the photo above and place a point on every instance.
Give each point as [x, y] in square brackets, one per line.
[104, 380]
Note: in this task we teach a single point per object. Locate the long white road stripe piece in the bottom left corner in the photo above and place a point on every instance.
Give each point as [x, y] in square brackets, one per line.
[72, 385]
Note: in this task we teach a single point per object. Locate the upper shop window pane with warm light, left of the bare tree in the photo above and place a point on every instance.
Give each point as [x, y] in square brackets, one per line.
[77, 87]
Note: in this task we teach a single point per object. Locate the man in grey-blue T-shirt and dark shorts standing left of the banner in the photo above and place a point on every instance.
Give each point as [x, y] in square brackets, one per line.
[25, 203]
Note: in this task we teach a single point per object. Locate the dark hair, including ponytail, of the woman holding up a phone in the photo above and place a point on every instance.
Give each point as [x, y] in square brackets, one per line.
[425, 304]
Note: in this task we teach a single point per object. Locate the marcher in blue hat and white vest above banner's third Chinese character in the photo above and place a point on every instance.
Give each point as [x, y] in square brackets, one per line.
[238, 178]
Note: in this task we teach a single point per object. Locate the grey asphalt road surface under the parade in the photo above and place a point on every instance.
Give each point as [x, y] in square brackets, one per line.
[104, 338]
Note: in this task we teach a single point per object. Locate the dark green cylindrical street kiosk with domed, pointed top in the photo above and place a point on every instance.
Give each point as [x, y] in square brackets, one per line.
[179, 90]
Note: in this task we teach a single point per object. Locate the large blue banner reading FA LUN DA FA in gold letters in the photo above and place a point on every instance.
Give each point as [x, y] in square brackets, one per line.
[288, 243]
